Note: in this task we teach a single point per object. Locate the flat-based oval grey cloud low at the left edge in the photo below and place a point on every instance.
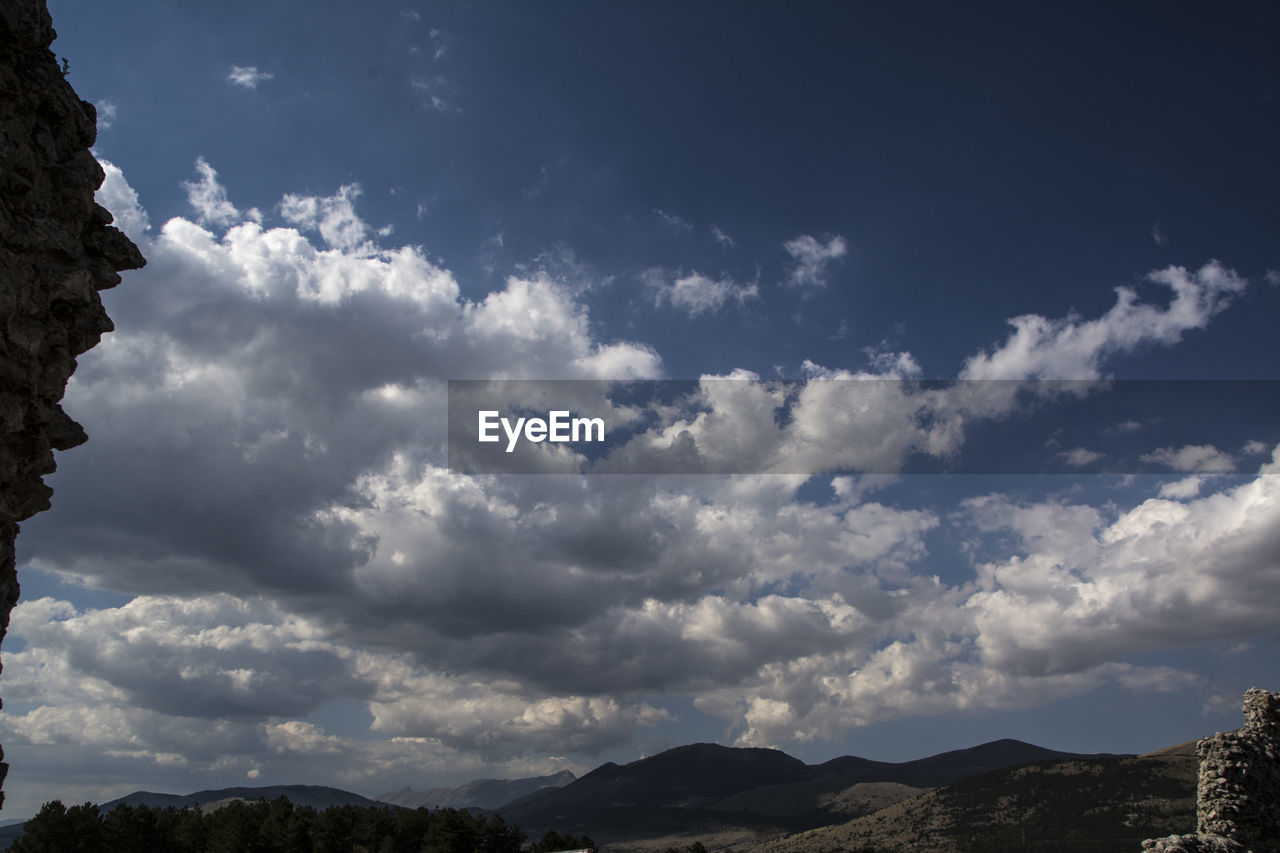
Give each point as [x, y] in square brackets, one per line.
[208, 658]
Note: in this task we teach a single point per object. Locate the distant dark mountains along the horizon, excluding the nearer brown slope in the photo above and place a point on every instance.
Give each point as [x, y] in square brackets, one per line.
[702, 788]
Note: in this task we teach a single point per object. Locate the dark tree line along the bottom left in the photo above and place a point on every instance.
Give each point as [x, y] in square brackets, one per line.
[277, 827]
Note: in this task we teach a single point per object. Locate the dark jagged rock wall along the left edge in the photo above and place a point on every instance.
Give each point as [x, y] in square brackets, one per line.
[57, 252]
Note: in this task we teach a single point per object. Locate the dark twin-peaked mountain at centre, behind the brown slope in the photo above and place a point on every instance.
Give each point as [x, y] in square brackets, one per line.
[716, 786]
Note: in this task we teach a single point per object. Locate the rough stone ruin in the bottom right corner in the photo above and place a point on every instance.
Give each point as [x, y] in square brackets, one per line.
[1238, 800]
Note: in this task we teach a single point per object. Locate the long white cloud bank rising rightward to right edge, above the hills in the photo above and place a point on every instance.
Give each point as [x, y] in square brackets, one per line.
[1054, 621]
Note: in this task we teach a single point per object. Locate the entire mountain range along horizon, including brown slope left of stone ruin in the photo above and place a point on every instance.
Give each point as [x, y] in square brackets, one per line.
[1000, 796]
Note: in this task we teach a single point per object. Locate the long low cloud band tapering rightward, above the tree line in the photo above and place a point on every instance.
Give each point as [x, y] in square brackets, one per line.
[225, 659]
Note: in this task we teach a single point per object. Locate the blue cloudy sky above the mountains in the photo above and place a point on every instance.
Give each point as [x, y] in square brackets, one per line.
[263, 569]
